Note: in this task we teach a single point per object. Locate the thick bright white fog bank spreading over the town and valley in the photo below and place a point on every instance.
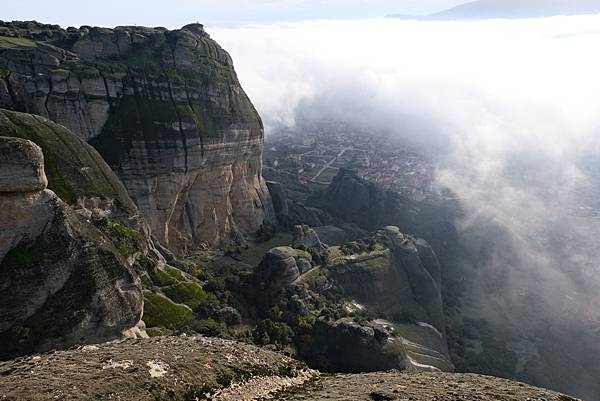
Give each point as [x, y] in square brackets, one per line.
[511, 108]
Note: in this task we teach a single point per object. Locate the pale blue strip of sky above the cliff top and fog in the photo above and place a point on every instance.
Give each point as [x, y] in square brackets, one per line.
[175, 13]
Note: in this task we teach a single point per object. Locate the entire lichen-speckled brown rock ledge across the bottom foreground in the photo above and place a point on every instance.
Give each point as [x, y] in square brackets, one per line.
[199, 368]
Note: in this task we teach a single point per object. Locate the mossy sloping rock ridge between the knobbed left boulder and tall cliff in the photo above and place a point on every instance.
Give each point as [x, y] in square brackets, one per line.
[79, 176]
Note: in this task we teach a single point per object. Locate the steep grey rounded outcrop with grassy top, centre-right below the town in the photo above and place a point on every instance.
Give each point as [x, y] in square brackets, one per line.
[396, 275]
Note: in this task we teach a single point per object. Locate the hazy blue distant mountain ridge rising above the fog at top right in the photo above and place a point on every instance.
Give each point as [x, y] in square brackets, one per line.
[513, 9]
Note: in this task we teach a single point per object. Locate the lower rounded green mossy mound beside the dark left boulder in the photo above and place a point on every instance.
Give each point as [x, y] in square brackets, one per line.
[162, 312]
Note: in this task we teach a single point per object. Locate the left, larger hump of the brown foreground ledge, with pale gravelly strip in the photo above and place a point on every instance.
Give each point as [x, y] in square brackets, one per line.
[162, 368]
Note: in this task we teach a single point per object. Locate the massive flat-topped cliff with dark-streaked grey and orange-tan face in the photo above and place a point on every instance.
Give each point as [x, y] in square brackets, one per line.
[165, 110]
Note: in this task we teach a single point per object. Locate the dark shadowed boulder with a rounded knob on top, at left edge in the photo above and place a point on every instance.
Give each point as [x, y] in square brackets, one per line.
[62, 280]
